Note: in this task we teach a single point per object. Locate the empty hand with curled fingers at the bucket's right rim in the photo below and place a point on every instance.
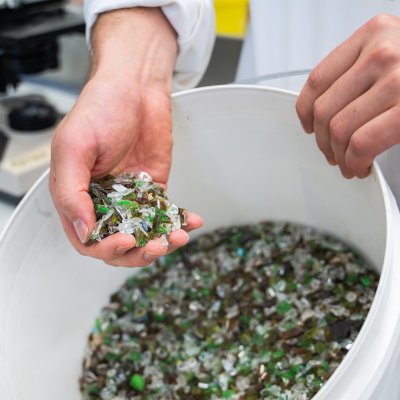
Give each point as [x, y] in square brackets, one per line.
[351, 100]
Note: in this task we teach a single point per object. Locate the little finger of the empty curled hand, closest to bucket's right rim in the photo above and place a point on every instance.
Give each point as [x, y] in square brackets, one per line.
[371, 140]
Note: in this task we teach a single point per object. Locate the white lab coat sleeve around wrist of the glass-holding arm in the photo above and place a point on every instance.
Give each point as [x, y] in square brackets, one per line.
[194, 22]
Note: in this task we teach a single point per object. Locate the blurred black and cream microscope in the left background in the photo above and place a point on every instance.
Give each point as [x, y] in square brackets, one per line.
[29, 33]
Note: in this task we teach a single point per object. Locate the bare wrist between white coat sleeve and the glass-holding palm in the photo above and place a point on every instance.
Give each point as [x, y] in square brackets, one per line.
[135, 45]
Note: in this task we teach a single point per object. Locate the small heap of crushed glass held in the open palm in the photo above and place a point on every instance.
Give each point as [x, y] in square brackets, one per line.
[133, 204]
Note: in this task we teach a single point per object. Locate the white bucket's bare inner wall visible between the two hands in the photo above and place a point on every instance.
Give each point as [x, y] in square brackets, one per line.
[241, 156]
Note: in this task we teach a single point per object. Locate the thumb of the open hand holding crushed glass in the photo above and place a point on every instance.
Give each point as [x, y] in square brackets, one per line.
[69, 184]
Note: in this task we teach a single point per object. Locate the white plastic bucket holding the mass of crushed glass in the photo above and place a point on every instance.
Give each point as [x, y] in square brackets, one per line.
[240, 156]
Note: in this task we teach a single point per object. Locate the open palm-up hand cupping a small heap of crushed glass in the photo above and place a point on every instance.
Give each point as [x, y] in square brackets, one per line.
[119, 123]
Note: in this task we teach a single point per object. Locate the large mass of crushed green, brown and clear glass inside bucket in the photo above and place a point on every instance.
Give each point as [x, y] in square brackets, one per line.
[264, 311]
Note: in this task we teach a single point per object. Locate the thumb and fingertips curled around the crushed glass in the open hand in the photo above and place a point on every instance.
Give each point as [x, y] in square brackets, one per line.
[75, 207]
